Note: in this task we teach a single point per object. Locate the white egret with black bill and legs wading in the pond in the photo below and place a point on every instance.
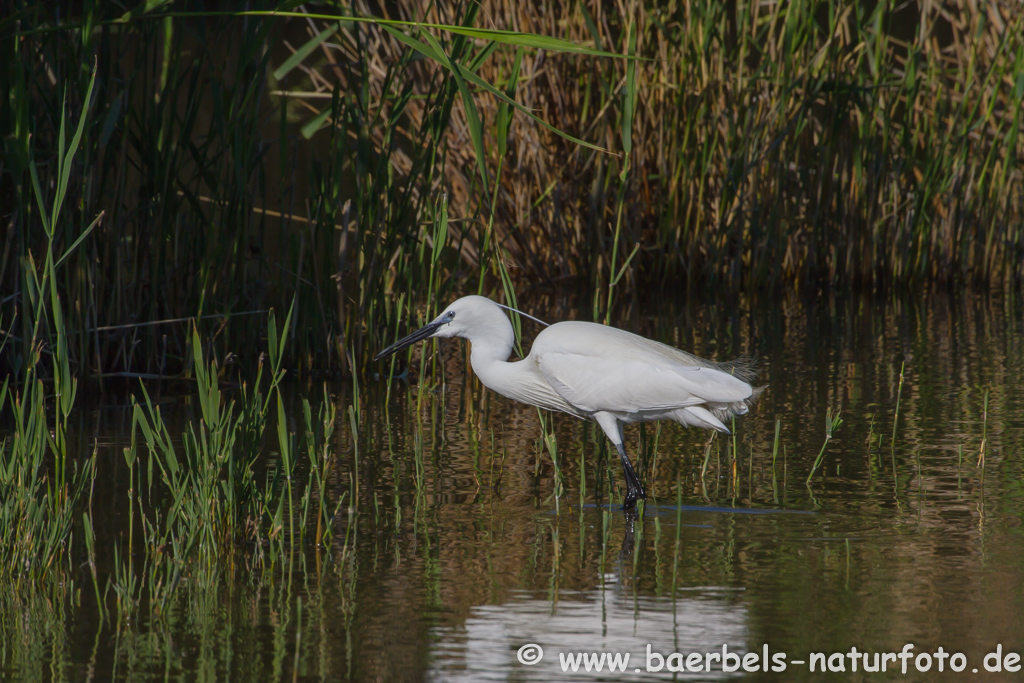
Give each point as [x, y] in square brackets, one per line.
[595, 372]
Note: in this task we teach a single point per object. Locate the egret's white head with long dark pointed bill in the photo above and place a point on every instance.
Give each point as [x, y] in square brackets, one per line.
[475, 318]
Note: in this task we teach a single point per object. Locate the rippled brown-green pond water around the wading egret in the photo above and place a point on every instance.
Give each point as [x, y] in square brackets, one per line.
[458, 559]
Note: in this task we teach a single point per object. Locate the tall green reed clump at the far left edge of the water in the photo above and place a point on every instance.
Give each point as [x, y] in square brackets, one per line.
[42, 487]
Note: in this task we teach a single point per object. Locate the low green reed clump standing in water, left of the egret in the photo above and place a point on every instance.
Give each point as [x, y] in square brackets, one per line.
[208, 498]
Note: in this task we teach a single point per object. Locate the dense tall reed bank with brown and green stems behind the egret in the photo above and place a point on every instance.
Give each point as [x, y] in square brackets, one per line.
[735, 129]
